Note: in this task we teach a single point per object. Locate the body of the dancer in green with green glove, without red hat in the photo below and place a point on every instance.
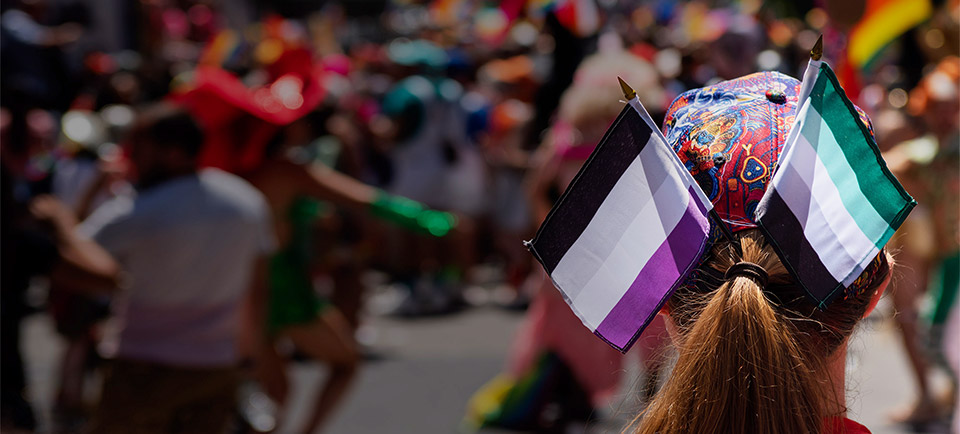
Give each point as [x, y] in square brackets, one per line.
[296, 311]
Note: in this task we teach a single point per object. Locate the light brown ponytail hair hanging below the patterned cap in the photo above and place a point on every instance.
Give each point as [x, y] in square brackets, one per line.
[747, 364]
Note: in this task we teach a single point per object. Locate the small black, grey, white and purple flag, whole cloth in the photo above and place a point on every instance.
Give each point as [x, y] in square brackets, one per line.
[627, 229]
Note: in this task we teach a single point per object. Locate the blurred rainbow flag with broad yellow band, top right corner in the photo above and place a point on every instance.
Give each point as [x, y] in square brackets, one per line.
[882, 22]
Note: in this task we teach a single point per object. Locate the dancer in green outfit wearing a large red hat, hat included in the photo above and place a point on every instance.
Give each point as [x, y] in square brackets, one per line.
[270, 148]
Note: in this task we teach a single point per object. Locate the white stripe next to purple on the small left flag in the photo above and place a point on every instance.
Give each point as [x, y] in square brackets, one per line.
[646, 233]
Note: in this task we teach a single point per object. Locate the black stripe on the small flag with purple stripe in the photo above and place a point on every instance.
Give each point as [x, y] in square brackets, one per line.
[569, 217]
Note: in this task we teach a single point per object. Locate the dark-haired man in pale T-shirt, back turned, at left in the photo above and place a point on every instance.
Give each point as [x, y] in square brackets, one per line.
[183, 257]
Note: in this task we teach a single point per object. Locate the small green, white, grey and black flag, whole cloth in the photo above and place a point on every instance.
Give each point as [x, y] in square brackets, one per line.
[832, 203]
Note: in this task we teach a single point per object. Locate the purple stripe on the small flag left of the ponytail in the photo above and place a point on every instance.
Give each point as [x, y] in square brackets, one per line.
[658, 278]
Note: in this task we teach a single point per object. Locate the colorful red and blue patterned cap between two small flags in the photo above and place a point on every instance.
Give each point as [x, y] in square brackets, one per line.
[730, 136]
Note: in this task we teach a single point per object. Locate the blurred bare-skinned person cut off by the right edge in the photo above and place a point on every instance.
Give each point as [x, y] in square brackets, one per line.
[931, 238]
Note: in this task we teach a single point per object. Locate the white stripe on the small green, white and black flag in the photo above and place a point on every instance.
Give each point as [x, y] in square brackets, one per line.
[827, 225]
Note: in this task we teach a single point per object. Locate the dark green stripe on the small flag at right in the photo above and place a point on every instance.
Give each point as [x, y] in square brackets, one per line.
[876, 183]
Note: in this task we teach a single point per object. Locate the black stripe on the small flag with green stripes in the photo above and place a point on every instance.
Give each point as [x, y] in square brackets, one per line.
[785, 234]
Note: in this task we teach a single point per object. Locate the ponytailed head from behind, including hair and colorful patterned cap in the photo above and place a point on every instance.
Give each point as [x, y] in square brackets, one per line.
[755, 353]
